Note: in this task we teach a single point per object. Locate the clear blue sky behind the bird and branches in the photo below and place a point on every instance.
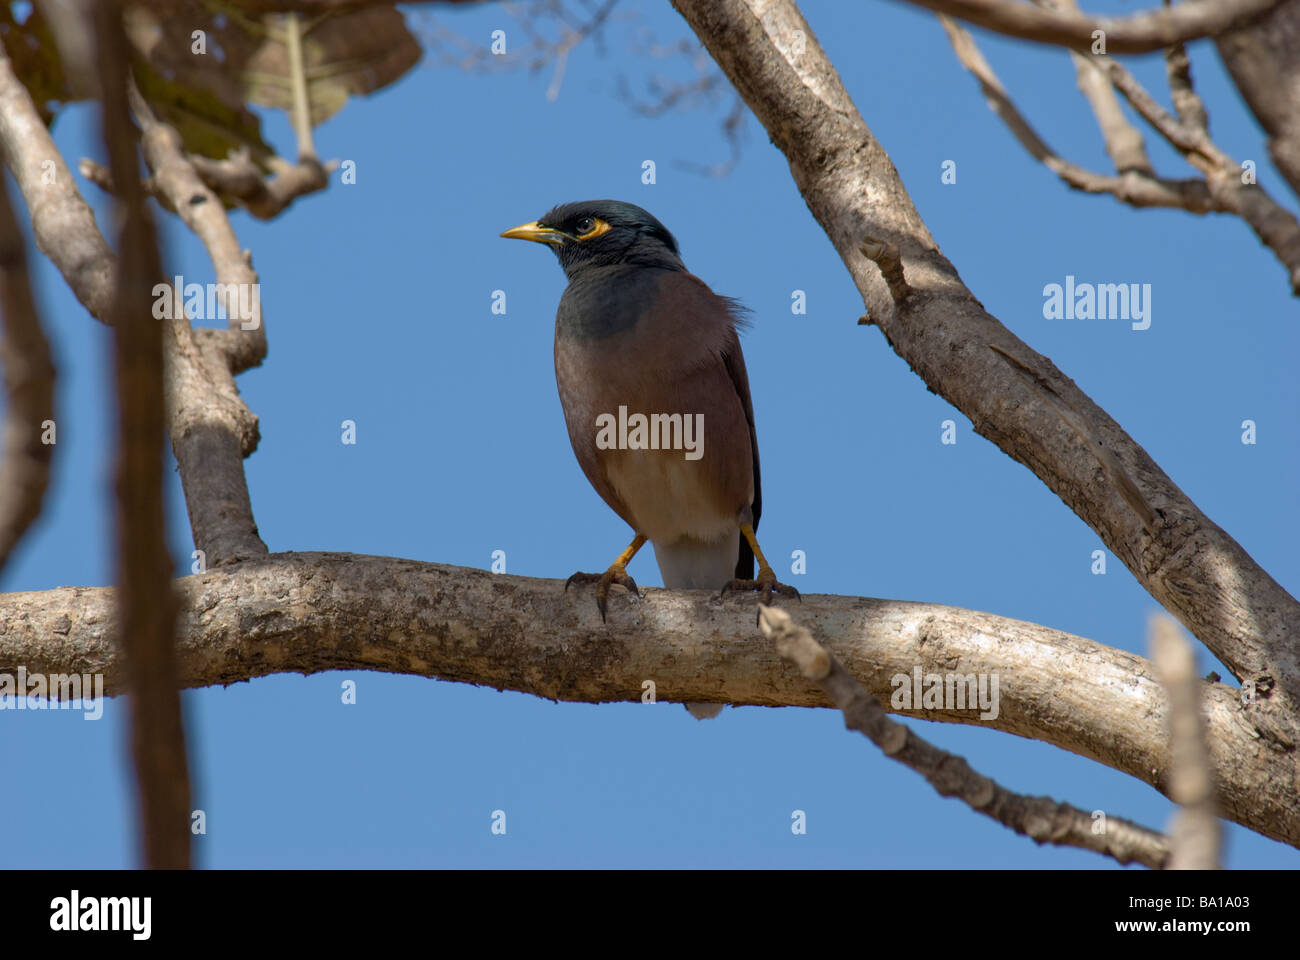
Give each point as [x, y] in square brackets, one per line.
[378, 306]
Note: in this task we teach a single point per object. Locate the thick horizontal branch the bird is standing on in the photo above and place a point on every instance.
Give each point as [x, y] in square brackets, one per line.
[311, 612]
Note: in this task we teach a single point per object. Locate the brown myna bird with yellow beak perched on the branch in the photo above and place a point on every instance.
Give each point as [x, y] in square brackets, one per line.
[656, 396]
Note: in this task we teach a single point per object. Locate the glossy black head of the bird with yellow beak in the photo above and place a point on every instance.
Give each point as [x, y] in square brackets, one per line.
[601, 233]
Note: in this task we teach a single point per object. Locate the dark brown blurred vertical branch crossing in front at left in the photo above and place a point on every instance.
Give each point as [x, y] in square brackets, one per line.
[146, 603]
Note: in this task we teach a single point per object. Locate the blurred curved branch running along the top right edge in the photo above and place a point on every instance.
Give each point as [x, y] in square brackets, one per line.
[1141, 33]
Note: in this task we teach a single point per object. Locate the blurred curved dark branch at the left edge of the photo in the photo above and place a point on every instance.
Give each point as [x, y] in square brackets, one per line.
[29, 379]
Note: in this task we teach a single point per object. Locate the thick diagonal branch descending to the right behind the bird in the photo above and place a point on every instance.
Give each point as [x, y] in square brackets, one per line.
[1188, 563]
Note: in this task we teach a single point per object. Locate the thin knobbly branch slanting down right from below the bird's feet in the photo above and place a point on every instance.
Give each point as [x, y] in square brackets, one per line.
[1038, 818]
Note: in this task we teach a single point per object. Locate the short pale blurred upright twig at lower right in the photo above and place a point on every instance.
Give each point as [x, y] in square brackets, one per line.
[1195, 834]
